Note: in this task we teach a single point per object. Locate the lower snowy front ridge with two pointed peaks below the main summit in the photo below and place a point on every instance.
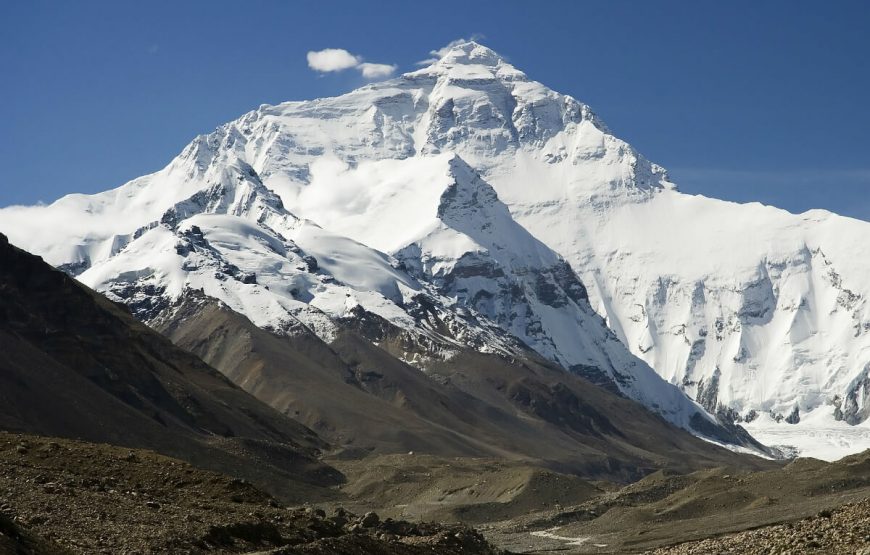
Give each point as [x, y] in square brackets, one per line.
[465, 276]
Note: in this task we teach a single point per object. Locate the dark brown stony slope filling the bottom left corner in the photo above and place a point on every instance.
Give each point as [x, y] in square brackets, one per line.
[63, 497]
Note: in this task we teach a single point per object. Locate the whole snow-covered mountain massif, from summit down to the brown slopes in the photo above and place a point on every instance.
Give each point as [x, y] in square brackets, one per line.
[469, 206]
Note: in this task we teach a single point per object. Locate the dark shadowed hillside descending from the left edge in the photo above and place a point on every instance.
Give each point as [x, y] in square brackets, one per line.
[75, 365]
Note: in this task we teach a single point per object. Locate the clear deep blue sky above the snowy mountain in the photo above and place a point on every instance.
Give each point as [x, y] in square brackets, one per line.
[741, 100]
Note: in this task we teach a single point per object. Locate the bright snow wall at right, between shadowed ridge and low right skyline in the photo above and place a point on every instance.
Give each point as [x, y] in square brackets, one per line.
[748, 307]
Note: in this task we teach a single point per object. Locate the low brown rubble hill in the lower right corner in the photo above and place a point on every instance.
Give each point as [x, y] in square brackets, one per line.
[666, 508]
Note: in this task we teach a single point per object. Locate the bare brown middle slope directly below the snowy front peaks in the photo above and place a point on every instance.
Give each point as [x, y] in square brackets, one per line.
[365, 400]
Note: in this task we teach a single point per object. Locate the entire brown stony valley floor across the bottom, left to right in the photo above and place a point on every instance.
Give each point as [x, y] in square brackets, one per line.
[60, 497]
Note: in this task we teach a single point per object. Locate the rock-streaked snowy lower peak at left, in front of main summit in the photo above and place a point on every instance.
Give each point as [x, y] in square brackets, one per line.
[235, 242]
